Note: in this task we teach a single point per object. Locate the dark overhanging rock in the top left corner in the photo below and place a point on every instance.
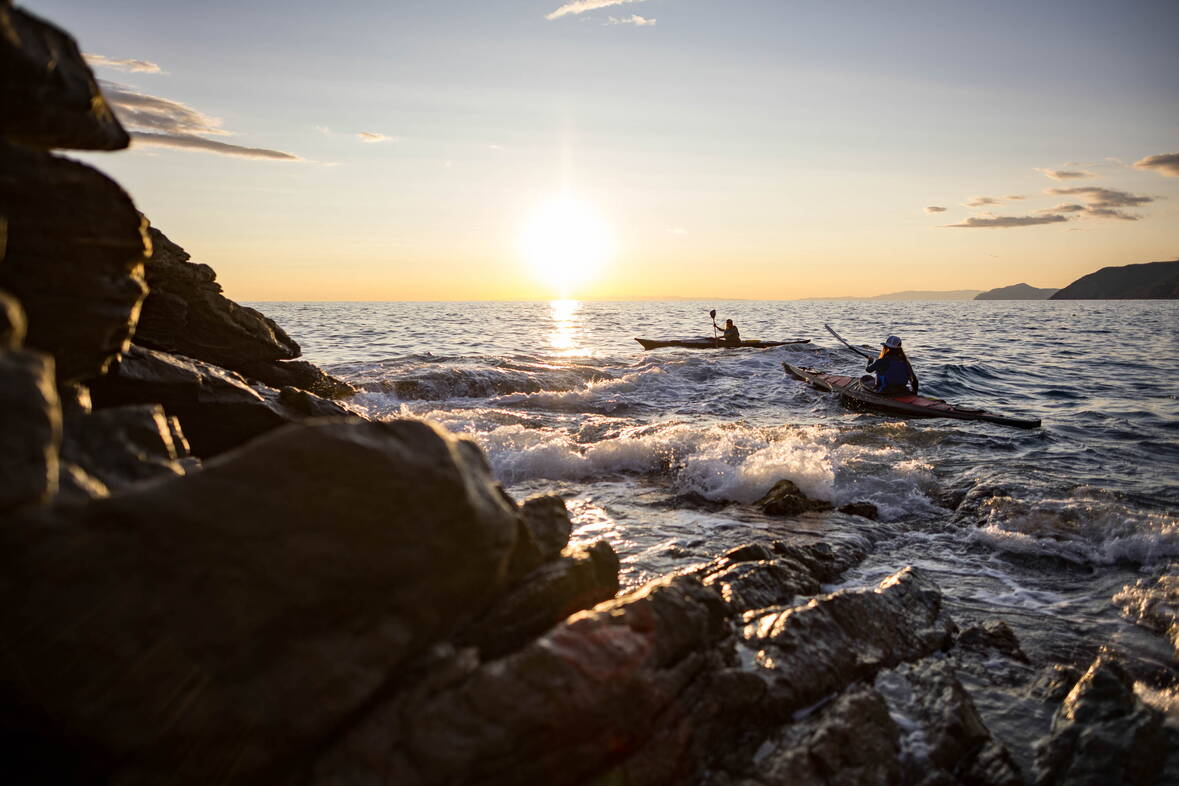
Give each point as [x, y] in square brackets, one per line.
[48, 94]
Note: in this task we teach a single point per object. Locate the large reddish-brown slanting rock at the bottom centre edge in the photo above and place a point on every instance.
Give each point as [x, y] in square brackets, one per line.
[636, 691]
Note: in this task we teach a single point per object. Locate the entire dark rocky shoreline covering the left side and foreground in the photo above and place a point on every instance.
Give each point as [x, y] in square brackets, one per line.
[215, 571]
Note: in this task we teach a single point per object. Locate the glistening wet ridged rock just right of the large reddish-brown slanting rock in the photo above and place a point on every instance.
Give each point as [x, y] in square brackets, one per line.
[813, 651]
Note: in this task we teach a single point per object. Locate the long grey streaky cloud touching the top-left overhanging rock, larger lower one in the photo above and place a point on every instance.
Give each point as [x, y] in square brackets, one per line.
[162, 122]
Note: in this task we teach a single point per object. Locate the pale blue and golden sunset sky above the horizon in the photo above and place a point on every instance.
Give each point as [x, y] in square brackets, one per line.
[760, 149]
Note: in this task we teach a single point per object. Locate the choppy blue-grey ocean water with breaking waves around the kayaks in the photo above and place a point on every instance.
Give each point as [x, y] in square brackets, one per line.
[661, 453]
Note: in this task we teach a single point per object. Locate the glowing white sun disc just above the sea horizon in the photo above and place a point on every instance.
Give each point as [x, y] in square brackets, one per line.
[567, 245]
